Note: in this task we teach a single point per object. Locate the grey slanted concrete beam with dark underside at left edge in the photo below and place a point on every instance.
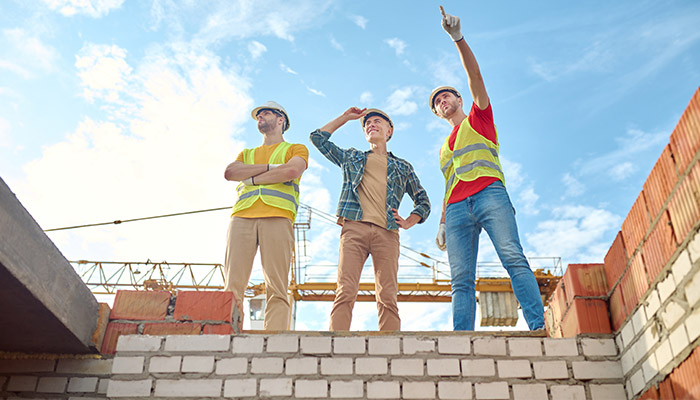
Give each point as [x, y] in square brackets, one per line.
[44, 305]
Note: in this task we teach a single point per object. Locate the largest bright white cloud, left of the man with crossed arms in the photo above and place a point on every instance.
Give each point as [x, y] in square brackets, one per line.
[165, 154]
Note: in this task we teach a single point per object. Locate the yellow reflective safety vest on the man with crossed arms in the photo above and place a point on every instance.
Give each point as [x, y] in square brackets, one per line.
[283, 195]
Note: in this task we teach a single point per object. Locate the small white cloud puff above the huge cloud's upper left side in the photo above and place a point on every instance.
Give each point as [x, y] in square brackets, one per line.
[103, 71]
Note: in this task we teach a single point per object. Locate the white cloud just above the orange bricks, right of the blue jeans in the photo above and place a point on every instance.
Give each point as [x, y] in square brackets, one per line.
[574, 232]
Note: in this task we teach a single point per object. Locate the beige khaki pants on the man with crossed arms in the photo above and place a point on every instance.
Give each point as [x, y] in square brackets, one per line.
[275, 238]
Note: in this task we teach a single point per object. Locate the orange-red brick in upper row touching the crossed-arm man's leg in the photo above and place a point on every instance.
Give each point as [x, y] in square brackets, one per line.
[204, 306]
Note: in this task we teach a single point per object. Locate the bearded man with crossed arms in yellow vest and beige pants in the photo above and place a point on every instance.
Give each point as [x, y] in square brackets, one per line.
[264, 213]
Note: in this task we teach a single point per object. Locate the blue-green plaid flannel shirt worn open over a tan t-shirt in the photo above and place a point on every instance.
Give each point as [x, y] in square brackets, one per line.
[401, 179]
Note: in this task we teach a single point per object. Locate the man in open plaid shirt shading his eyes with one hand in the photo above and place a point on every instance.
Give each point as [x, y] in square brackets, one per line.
[374, 183]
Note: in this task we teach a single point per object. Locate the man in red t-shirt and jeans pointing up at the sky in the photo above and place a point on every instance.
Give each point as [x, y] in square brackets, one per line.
[475, 195]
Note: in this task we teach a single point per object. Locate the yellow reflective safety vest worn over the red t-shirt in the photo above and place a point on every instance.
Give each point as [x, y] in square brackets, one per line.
[474, 156]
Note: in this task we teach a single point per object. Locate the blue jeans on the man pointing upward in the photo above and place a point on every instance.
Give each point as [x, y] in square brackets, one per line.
[491, 210]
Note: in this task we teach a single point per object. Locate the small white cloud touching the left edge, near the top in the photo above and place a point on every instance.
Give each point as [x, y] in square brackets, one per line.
[29, 52]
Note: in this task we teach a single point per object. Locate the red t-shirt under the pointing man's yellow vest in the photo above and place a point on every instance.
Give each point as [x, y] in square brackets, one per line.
[482, 122]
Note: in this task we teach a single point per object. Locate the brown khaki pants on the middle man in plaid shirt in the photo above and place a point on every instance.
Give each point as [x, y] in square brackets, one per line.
[357, 241]
